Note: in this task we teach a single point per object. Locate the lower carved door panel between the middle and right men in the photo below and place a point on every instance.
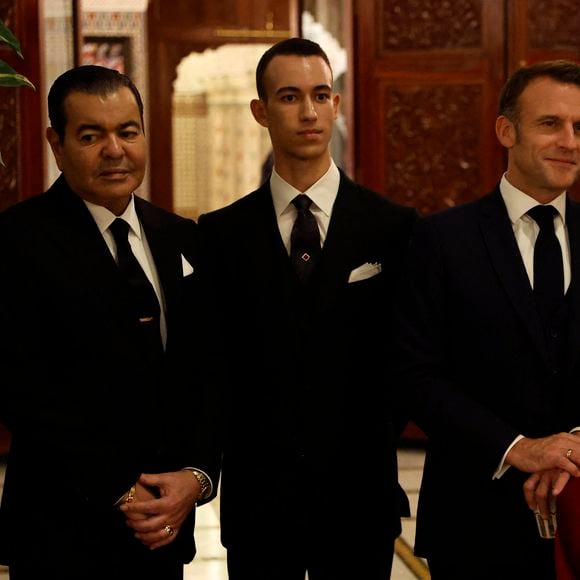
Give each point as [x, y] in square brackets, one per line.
[432, 145]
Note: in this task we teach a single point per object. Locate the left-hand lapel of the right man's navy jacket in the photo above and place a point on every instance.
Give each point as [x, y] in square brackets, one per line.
[506, 259]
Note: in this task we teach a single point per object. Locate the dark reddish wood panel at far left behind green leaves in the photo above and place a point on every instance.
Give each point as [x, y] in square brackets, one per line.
[20, 108]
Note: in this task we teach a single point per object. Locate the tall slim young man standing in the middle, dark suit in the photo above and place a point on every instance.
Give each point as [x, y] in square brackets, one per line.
[309, 480]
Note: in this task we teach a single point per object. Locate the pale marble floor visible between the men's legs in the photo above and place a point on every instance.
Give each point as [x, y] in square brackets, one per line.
[210, 562]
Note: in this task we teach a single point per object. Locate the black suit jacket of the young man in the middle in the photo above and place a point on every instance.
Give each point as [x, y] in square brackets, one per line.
[308, 406]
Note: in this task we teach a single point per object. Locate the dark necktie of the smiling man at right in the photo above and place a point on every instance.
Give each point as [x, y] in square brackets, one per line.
[548, 265]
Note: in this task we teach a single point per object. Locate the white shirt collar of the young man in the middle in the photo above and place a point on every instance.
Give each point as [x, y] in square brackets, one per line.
[322, 193]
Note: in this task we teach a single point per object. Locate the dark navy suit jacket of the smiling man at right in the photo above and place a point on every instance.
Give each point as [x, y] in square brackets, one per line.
[477, 363]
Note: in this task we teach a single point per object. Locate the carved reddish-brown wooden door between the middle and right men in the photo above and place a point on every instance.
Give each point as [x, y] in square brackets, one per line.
[426, 78]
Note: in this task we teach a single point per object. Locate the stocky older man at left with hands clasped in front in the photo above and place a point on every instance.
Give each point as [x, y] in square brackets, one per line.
[90, 391]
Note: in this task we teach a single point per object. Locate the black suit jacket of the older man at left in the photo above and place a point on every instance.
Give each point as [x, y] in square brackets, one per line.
[87, 412]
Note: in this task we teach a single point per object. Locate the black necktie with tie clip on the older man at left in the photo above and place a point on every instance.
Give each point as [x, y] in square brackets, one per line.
[144, 299]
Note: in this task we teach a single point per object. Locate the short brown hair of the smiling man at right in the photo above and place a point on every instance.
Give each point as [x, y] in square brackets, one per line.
[562, 71]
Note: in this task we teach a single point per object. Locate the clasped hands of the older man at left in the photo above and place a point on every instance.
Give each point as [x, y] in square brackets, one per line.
[153, 516]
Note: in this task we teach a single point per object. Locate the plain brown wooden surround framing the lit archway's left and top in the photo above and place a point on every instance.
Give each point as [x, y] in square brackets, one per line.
[179, 27]
